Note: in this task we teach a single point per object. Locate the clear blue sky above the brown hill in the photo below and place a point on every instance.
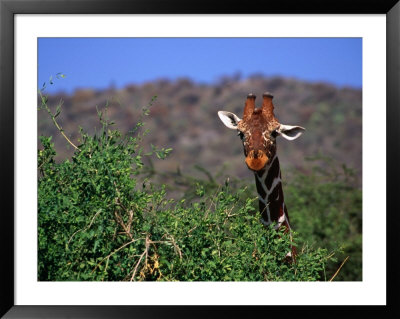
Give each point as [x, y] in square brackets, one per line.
[98, 62]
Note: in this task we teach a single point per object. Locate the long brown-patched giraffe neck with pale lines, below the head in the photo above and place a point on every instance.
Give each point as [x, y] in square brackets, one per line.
[270, 195]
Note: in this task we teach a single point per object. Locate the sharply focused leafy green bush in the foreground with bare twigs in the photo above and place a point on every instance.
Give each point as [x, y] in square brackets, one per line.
[98, 219]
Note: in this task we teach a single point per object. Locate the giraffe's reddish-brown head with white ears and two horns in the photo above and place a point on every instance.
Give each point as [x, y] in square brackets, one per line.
[258, 130]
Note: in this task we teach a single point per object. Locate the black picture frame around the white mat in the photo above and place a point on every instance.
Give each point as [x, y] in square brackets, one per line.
[8, 10]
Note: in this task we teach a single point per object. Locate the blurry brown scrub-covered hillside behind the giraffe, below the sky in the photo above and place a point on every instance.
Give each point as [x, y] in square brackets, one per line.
[184, 117]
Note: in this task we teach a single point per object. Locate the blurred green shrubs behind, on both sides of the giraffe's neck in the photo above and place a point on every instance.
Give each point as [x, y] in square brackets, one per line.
[324, 203]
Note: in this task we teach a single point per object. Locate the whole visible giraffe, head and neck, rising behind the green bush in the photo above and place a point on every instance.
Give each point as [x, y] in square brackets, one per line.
[258, 131]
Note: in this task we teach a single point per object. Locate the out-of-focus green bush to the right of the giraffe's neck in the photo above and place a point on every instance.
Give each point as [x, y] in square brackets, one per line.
[326, 211]
